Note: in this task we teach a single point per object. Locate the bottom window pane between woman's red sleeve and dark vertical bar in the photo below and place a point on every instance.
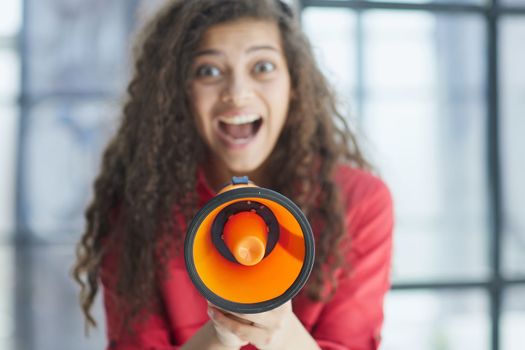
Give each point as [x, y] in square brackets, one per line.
[427, 320]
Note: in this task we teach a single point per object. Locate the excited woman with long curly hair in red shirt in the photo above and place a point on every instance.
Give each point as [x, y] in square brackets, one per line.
[223, 88]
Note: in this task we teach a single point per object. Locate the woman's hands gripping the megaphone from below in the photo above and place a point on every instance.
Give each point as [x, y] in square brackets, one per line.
[265, 330]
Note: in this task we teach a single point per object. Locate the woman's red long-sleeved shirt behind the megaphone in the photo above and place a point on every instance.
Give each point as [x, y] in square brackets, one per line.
[352, 319]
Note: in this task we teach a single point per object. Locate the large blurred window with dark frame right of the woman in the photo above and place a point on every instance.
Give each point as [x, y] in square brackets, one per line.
[419, 79]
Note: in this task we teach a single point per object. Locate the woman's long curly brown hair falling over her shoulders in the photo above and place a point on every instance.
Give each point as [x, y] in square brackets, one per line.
[149, 167]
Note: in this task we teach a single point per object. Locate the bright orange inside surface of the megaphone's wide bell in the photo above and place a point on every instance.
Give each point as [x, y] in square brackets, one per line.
[266, 280]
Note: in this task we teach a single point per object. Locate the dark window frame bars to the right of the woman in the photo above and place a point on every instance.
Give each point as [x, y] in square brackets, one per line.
[495, 285]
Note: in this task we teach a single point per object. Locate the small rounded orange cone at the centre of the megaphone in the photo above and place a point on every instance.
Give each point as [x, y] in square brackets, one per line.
[246, 235]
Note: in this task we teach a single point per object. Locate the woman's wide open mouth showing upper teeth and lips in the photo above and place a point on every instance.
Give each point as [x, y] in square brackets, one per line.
[239, 129]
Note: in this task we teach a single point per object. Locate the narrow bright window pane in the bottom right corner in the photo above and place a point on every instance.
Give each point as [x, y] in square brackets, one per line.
[513, 320]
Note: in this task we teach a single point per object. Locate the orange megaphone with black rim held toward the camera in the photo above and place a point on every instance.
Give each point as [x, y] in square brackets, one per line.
[249, 249]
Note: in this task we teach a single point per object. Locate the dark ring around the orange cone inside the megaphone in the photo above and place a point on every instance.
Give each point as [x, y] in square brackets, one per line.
[260, 209]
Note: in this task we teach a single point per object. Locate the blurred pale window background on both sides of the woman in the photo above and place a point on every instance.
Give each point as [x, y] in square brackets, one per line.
[436, 90]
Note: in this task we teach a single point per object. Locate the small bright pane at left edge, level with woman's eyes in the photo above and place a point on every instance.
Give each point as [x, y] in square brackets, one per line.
[10, 73]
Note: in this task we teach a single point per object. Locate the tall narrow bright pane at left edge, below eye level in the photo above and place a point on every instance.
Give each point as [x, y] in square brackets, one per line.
[8, 144]
